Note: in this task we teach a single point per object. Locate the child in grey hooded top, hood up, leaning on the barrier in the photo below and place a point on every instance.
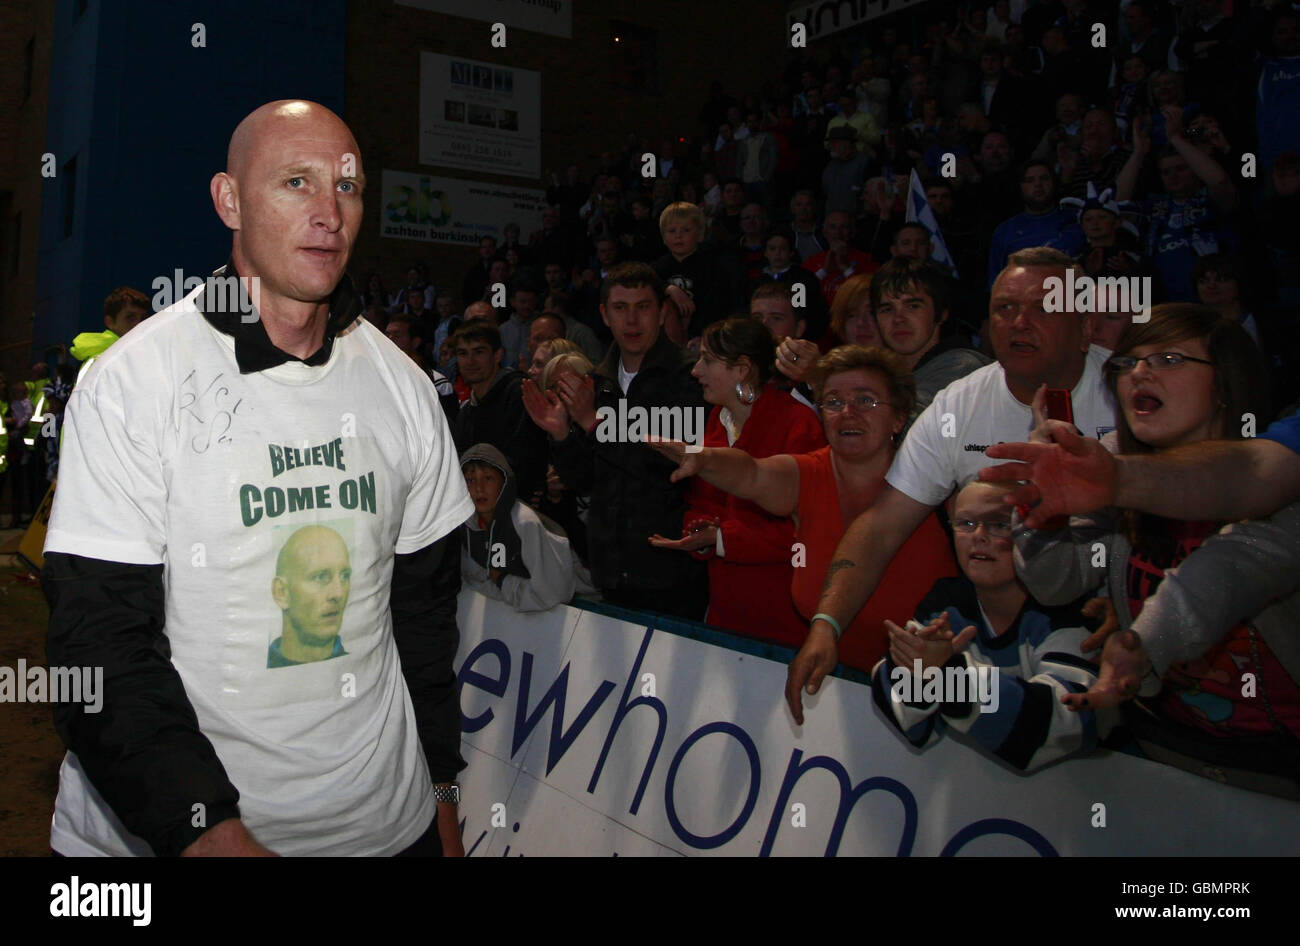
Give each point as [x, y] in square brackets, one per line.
[509, 552]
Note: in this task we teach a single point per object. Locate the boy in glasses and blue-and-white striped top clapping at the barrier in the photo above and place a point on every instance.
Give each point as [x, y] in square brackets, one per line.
[1017, 658]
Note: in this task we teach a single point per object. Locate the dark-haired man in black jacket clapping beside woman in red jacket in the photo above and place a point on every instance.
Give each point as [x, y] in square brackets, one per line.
[631, 496]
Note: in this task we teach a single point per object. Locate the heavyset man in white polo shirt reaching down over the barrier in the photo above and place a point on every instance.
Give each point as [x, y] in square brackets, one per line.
[946, 446]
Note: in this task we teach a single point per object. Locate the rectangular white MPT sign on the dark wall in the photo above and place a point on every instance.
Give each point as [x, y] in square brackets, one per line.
[480, 116]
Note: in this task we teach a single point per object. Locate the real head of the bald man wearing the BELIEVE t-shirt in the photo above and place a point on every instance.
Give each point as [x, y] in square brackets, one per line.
[292, 194]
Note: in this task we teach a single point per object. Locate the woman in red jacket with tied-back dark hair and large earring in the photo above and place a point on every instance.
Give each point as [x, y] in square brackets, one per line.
[751, 553]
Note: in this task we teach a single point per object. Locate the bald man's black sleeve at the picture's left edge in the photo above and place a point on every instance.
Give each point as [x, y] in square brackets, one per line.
[144, 752]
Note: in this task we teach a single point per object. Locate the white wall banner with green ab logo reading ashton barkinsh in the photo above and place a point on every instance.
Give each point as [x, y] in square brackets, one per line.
[436, 210]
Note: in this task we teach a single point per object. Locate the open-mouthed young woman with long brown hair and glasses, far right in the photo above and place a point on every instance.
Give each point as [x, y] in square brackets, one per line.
[1186, 376]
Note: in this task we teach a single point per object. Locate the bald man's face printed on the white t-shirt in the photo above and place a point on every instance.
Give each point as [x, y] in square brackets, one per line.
[314, 580]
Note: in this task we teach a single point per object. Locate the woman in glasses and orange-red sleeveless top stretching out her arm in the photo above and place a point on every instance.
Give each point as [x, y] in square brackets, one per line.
[865, 396]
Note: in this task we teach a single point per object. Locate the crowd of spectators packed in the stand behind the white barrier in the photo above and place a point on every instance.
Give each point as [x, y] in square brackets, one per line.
[855, 366]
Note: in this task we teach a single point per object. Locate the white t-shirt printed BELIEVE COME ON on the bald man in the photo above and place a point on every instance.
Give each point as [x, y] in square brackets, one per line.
[172, 457]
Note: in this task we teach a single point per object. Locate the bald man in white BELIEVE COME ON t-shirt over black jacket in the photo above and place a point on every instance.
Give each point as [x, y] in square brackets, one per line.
[271, 411]
